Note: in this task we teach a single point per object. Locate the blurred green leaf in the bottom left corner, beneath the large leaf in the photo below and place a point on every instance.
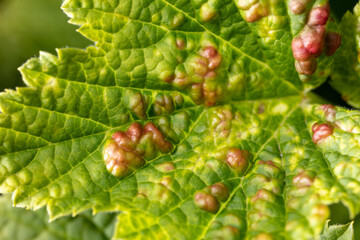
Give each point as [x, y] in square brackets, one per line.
[19, 224]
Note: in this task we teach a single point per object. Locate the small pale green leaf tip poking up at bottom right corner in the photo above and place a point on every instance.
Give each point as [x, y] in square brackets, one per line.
[338, 232]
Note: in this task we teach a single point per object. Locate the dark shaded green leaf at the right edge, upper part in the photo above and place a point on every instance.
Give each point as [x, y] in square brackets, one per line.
[346, 74]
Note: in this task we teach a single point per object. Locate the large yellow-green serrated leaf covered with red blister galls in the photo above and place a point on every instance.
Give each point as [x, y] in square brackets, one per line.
[190, 118]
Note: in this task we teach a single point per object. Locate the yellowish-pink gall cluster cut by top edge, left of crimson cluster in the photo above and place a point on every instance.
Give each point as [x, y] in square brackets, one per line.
[253, 10]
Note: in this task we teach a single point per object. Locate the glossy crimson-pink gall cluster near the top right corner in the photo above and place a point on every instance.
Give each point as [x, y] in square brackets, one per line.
[313, 39]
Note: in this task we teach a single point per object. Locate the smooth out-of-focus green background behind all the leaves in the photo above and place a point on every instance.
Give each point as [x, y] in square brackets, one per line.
[30, 26]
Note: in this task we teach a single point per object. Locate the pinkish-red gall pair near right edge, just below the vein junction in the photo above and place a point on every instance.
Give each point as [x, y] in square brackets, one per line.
[323, 130]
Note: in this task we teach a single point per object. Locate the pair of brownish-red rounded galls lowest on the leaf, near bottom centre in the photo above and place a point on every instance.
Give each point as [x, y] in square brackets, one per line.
[208, 199]
